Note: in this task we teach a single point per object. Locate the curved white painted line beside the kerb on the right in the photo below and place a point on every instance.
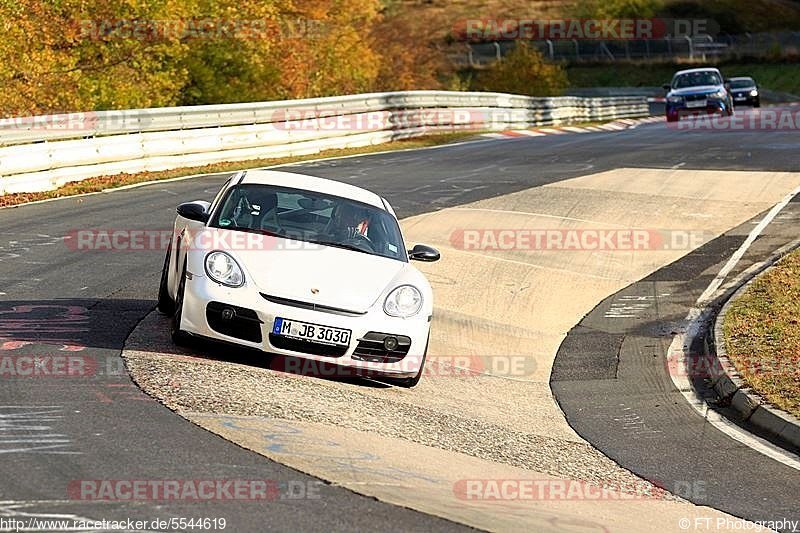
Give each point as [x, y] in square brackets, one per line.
[693, 321]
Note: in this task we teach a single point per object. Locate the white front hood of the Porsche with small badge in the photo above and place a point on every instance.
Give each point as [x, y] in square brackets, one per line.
[321, 275]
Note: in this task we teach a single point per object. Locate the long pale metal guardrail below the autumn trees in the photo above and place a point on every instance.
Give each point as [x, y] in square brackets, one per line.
[43, 153]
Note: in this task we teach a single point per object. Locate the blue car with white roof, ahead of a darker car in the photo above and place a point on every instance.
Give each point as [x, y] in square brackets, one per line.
[697, 91]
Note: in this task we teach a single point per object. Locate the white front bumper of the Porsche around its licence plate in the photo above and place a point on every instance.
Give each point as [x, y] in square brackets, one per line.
[200, 292]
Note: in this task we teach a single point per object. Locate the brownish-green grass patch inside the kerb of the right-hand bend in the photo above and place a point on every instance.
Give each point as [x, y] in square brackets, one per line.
[762, 334]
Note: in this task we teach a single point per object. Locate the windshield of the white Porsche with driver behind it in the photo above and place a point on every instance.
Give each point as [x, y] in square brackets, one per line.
[311, 217]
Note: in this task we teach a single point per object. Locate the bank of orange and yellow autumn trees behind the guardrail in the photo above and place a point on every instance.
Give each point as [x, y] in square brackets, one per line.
[73, 55]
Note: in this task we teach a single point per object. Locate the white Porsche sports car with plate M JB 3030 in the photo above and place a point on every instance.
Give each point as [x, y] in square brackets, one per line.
[300, 266]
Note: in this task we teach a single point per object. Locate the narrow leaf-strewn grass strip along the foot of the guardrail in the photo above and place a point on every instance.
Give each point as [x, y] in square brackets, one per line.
[101, 183]
